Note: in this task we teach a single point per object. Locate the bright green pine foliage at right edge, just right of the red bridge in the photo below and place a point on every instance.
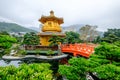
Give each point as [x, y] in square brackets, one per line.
[110, 51]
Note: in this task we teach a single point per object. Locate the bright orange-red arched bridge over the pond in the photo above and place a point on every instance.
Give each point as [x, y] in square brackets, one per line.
[84, 50]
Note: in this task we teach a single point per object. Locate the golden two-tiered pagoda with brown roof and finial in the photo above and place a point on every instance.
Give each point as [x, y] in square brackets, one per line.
[51, 26]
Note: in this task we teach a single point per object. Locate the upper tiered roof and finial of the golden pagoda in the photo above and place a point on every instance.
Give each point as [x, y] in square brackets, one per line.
[51, 17]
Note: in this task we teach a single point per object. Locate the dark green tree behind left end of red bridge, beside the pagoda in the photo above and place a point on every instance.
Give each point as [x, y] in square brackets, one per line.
[72, 37]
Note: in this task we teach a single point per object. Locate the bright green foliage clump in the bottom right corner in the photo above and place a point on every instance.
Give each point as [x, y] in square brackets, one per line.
[108, 72]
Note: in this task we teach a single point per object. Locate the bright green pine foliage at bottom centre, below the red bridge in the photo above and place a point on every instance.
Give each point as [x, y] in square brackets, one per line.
[76, 70]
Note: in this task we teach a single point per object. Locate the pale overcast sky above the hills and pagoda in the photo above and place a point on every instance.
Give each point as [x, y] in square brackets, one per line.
[103, 13]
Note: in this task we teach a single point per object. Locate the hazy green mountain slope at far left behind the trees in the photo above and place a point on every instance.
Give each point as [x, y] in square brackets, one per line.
[13, 27]
